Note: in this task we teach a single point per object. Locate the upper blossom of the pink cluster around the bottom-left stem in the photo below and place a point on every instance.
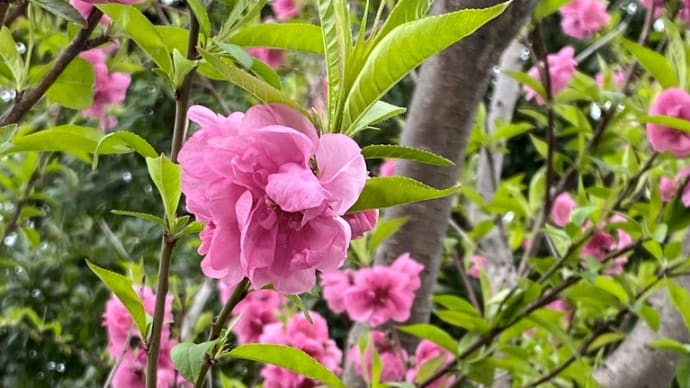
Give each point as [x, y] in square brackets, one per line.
[118, 322]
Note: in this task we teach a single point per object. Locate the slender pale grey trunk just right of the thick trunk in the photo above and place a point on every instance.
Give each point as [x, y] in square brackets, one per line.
[494, 246]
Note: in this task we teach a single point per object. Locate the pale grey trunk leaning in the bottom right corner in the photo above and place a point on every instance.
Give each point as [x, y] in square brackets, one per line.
[634, 364]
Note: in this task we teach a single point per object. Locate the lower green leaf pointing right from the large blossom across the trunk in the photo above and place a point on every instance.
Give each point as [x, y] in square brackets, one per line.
[381, 192]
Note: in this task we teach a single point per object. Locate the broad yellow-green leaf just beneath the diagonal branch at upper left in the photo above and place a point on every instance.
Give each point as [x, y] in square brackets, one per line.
[74, 88]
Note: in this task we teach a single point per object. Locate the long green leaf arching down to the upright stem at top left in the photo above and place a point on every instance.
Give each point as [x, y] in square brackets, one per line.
[140, 30]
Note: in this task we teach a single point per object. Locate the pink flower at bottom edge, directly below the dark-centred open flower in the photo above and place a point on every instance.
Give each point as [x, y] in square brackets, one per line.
[393, 358]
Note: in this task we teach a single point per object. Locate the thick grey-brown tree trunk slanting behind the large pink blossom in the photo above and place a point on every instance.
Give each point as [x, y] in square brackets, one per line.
[440, 118]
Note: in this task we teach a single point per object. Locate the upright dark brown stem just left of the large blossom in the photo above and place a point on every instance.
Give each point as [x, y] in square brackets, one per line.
[168, 241]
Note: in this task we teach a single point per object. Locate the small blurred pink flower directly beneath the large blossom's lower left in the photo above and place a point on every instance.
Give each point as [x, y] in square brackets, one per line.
[257, 310]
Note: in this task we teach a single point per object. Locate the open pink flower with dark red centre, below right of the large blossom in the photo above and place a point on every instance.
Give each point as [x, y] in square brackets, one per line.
[374, 295]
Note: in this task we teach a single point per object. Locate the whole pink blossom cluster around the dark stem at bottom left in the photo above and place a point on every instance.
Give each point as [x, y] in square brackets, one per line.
[125, 344]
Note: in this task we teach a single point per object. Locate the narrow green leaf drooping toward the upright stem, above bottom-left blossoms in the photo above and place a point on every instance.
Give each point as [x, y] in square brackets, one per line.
[122, 288]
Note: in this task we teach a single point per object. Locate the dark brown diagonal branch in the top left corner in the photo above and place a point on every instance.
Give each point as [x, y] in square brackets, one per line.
[30, 97]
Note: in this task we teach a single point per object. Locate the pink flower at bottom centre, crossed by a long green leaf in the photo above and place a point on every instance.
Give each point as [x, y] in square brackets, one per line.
[312, 338]
